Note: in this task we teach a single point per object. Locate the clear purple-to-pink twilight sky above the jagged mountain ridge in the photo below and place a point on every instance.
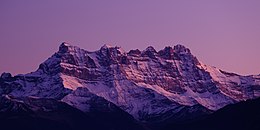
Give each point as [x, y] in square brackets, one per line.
[222, 33]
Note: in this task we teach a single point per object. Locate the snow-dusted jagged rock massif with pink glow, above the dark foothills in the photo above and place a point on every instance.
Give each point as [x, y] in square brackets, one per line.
[147, 84]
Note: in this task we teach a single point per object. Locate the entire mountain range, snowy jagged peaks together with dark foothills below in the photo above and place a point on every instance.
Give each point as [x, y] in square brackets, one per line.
[114, 89]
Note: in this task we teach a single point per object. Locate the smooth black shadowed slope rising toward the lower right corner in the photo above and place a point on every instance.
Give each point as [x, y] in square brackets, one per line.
[241, 116]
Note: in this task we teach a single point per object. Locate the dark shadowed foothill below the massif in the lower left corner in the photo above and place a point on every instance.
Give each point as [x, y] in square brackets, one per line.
[48, 114]
